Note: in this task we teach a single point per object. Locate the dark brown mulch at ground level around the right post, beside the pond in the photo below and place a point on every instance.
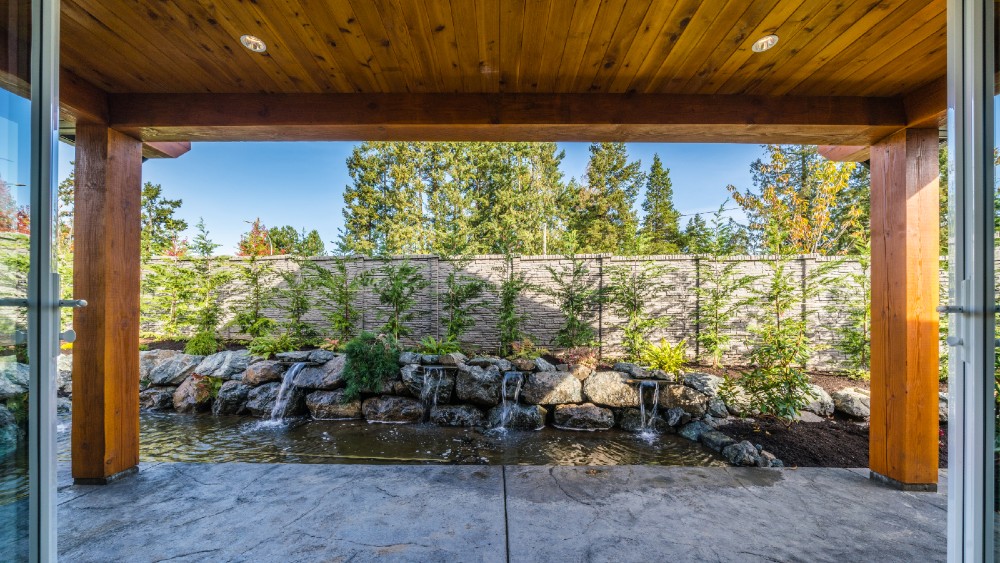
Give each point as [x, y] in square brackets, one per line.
[832, 443]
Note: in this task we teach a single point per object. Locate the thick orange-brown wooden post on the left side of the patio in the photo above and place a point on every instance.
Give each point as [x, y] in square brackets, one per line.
[106, 274]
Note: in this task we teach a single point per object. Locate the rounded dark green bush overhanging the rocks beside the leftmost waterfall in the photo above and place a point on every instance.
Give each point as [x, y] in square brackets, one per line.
[371, 361]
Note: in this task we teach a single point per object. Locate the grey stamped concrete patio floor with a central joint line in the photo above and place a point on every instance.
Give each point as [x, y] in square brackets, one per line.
[276, 512]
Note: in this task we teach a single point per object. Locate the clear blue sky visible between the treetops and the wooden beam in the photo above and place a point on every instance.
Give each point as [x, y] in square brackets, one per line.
[302, 184]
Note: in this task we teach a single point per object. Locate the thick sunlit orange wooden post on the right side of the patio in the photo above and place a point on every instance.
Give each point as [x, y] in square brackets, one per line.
[903, 446]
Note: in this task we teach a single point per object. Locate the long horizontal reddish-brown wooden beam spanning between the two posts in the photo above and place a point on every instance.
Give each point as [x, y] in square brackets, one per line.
[506, 117]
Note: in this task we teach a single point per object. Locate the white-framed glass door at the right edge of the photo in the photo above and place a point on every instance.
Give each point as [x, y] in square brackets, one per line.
[972, 380]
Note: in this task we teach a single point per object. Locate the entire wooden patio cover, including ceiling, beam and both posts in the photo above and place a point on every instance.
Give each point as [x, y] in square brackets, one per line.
[866, 75]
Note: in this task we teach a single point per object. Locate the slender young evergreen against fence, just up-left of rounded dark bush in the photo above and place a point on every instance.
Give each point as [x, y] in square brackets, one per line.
[338, 289]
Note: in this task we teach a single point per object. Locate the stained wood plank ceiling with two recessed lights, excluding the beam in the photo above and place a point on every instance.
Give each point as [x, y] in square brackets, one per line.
[826, 48]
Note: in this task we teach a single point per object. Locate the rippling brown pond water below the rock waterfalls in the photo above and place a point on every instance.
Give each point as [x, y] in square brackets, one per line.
[217, 439]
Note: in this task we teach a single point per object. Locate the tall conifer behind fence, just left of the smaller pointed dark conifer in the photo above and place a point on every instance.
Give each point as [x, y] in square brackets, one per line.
[605, 220]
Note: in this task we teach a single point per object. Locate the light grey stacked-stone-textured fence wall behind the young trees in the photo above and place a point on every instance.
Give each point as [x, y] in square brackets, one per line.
[679, 303]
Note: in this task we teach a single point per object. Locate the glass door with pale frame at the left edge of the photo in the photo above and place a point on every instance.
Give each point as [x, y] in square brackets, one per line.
[28, 287]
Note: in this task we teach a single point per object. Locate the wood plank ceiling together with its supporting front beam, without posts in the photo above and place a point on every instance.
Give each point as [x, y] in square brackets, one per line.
[843, 72]
